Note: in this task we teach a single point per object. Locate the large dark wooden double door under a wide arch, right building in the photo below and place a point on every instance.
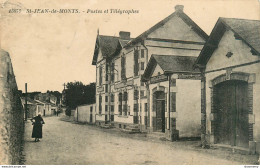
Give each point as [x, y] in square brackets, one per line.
[231, 109]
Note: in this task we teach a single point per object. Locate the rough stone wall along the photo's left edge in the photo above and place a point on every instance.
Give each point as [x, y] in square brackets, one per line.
[11, 114]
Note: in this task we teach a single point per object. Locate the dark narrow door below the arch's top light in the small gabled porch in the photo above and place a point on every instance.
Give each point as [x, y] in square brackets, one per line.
[160, 115]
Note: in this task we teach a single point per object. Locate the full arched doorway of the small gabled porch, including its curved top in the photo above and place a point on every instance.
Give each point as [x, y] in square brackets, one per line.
[159, 102]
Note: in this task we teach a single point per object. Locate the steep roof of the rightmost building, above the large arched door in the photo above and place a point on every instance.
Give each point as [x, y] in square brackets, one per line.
[246, 30]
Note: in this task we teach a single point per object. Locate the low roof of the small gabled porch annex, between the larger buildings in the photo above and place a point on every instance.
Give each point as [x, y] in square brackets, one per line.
[170, 64]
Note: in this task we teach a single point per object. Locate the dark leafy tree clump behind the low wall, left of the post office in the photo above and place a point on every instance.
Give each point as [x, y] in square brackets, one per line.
[77, 93]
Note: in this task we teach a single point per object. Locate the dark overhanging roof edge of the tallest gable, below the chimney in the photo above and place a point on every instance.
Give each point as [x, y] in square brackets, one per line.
[180, 14]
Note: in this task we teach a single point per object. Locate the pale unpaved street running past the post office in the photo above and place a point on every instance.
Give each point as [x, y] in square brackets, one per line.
[70, 143]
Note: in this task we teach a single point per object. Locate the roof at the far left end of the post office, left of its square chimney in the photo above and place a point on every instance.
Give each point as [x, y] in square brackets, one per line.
[107, 45]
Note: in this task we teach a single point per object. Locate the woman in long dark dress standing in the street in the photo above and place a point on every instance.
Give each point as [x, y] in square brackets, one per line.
[37, 127]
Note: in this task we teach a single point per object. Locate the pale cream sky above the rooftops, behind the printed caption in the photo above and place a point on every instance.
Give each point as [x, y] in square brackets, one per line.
[50, 49]
